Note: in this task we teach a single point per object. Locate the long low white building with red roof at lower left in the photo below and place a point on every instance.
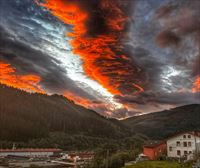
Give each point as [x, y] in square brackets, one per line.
[29, 152]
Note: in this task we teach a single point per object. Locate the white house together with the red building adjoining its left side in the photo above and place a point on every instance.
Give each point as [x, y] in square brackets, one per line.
[183, 145]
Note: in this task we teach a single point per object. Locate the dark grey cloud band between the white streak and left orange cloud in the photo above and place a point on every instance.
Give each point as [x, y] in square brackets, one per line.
[28, 60]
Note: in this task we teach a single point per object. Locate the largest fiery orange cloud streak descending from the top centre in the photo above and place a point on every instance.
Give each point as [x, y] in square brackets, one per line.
[102, 53]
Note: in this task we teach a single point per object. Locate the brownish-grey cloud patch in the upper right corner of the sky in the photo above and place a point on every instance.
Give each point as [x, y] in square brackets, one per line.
[181, 27]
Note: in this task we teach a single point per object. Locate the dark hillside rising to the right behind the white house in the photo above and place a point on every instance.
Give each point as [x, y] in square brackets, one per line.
[162, 124]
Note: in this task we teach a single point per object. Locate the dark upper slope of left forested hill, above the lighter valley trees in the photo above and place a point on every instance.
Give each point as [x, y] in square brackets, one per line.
[25, 116]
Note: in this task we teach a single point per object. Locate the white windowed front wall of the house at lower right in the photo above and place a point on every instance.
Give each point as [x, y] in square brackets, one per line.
[172, 146]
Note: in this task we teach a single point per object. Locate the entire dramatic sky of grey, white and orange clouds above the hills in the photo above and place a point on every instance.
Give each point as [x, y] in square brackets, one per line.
[118, 57]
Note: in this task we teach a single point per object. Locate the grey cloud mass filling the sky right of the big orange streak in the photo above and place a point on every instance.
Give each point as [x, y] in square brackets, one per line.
[168, 71]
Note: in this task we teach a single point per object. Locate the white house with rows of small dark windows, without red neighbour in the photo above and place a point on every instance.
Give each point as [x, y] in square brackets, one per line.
[183, 145]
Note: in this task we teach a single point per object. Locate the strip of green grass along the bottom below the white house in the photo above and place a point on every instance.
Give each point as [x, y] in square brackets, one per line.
[159, 164]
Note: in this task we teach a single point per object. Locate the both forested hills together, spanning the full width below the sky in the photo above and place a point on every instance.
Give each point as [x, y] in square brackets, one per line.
[38, 120]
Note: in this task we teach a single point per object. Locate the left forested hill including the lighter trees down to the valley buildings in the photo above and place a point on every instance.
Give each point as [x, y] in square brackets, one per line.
[37, 120]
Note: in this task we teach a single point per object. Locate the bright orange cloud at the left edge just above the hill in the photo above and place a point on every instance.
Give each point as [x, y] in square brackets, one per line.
[28, 83]
